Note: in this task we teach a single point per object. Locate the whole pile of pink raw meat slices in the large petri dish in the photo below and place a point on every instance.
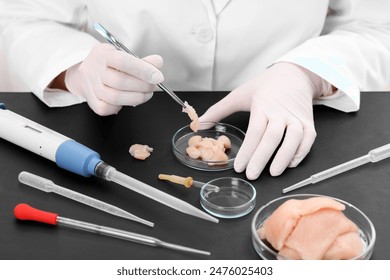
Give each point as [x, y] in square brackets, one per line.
[314, 228]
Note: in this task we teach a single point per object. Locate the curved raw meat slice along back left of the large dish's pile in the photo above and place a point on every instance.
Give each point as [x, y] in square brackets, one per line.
[283, 220]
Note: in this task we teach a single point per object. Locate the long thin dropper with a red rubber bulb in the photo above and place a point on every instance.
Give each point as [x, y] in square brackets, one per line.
[24, 211]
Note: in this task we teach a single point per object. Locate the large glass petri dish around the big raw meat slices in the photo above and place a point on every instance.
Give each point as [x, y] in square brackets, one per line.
[367, 231]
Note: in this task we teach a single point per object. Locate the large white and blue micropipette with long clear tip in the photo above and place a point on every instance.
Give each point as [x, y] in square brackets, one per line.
[77, 158]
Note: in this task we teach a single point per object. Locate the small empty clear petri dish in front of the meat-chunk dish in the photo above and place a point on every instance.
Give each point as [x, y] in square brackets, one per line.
[228, 197]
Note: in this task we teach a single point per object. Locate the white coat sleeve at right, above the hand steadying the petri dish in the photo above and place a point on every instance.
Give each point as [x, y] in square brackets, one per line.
[353, 53]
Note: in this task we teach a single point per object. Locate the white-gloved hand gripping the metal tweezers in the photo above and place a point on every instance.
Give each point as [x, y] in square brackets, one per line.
[109, 79]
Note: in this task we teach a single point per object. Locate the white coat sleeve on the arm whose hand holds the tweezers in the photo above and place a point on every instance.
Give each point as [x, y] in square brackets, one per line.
[42, 39]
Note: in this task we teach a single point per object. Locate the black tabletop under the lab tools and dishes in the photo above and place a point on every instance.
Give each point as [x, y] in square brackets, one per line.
[341, 137]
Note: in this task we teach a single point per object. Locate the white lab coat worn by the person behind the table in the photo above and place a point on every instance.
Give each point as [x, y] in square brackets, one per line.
[207, 45]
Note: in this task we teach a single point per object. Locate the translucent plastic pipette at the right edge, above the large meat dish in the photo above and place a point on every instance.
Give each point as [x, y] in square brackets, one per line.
[375, 155]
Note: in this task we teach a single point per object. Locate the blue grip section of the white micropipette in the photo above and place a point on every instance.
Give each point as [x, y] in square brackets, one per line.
[77, 158]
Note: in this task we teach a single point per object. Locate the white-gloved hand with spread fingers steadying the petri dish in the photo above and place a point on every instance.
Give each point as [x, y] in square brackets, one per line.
[280, 101]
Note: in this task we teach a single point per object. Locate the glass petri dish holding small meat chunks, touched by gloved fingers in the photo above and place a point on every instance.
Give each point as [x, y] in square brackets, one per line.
[210, 130]
